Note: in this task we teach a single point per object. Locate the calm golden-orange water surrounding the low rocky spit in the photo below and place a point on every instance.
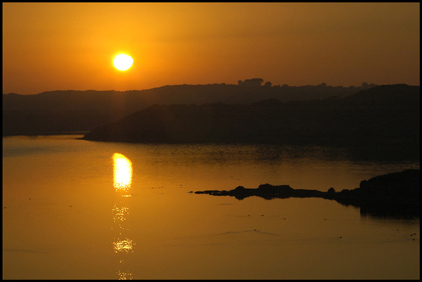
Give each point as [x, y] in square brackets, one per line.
[75, 209]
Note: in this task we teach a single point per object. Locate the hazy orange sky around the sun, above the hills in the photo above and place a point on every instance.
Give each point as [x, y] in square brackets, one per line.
[60, 46]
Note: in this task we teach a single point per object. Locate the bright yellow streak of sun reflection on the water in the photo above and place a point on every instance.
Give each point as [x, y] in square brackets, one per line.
[122, 182]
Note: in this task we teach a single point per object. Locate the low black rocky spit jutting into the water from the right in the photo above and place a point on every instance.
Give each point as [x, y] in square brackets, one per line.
[391, 195]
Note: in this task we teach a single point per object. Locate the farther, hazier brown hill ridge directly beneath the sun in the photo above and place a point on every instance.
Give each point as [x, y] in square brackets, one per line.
[56, 112]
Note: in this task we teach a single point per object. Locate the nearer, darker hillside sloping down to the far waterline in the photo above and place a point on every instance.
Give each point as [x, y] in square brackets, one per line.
[381, 116]
